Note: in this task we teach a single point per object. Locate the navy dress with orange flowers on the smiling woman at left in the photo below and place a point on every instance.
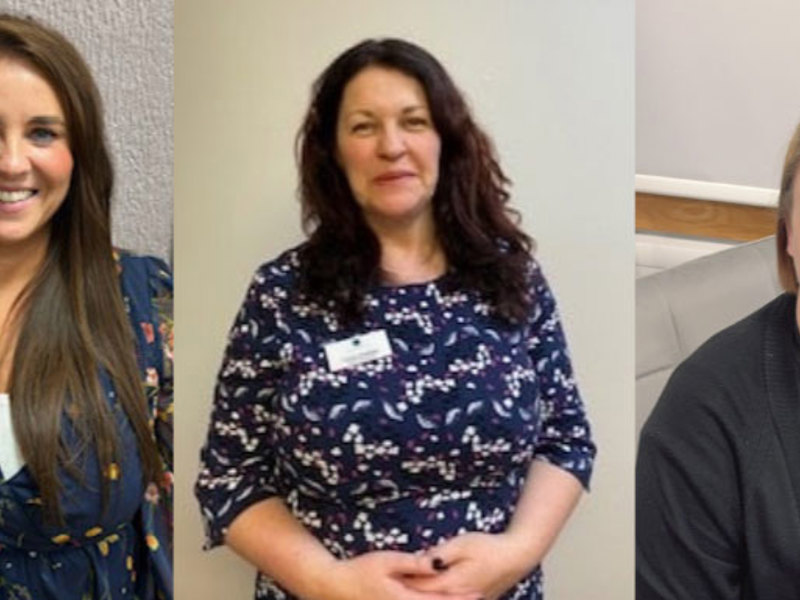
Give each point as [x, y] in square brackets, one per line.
[124, 553]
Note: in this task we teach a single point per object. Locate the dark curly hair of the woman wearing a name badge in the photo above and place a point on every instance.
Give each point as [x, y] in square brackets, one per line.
[485, 248]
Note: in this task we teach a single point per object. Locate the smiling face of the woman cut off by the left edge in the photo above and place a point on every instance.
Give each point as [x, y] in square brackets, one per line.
[35, 159]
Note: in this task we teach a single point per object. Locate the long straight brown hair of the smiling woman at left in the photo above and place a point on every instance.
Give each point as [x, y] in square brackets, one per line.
[72, 321]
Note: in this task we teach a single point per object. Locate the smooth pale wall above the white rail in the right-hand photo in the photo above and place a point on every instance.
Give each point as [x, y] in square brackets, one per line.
[717, 88]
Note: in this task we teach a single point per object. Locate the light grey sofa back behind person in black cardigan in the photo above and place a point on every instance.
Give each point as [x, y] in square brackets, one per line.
[679, 308]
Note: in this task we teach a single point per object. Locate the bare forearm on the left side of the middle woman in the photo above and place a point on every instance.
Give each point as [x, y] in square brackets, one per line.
[267, 535]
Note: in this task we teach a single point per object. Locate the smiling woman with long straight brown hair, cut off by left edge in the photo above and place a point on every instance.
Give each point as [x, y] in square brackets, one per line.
[85, 393]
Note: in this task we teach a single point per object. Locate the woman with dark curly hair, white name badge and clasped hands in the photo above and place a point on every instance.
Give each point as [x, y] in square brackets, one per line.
[395, 416]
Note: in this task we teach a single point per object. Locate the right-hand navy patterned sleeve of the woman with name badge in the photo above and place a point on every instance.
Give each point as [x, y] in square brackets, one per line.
[564, 435]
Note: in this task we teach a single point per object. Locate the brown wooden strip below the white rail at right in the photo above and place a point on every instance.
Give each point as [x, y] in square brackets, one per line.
[702, 218]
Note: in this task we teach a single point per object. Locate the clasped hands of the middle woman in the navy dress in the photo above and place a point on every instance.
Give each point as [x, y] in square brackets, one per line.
[472, 566]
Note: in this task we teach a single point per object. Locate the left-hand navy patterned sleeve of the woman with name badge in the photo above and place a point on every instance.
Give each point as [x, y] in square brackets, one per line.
[237, 460]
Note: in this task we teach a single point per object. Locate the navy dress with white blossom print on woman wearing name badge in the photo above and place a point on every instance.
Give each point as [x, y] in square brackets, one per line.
[401, 452]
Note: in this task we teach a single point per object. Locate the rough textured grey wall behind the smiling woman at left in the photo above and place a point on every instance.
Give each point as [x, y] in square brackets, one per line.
[128, 46]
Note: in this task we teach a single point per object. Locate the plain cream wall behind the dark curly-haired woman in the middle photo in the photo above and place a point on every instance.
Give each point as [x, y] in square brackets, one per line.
[551, 82]
